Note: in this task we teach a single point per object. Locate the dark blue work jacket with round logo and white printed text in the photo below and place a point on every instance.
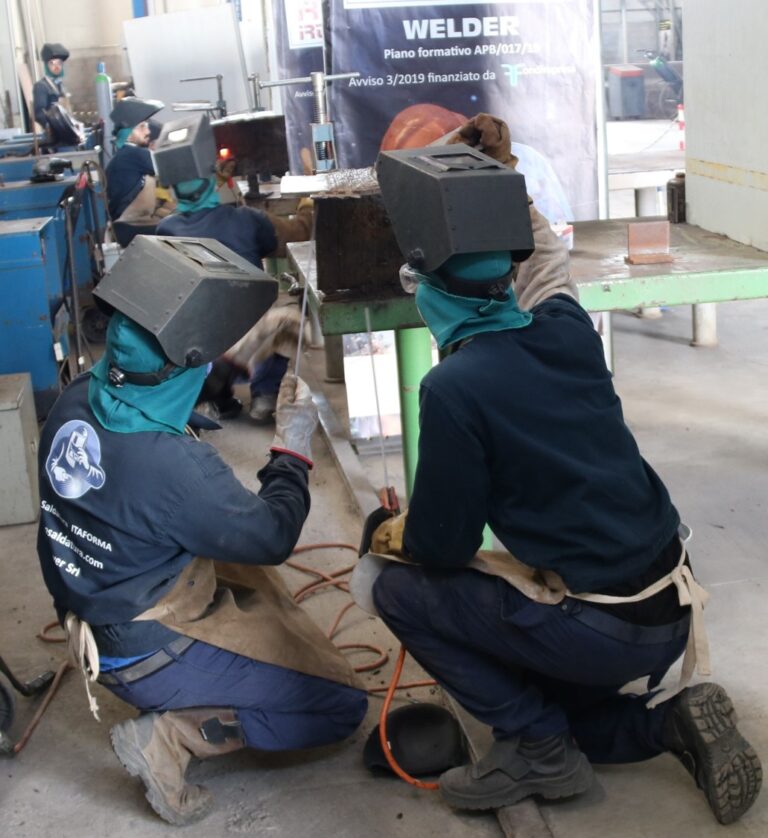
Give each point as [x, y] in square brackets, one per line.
[123, 513]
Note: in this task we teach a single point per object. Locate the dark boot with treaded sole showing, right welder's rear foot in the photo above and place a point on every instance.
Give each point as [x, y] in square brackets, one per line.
[700, 729]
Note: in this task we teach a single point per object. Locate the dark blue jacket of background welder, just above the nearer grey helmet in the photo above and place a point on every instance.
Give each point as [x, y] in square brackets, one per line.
[245, 230]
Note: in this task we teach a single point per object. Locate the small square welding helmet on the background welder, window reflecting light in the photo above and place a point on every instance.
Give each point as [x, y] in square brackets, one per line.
[185, 150]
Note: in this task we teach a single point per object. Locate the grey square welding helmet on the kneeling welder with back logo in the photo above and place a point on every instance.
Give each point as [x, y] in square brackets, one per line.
[196, 296]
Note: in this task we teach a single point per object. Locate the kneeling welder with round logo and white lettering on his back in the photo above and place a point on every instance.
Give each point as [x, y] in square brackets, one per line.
[135, 509]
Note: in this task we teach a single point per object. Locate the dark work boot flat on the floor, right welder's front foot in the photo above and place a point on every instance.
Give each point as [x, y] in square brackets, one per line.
[514, 769]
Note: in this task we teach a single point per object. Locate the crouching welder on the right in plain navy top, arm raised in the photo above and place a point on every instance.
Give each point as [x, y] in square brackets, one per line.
[521, 429]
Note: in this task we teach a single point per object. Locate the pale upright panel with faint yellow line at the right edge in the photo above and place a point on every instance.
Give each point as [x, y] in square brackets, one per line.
[726, 119]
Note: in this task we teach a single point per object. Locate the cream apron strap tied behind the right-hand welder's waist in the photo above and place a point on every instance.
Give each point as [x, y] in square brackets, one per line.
[689, 592]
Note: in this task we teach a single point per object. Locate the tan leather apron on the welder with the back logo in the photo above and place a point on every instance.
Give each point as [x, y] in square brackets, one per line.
[248, 610]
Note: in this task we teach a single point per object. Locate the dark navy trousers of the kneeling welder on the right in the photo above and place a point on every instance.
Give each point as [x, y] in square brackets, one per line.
[528, 669]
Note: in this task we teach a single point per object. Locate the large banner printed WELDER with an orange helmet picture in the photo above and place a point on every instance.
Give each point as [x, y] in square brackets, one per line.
[426, 67]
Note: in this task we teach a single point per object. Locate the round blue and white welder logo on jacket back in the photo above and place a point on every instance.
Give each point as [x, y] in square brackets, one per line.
[72, 465]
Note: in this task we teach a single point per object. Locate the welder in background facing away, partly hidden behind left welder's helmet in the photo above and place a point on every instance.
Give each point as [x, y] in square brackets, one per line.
[185, 156]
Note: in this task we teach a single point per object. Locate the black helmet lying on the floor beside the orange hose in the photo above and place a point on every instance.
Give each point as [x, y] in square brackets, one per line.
[425, 740]
